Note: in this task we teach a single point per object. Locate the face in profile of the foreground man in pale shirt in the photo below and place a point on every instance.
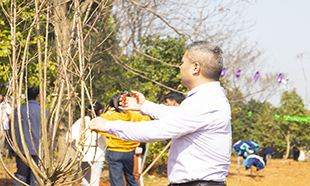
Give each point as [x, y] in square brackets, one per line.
[185, 70]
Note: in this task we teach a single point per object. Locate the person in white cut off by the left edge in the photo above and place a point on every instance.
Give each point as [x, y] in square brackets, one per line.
[5, 117]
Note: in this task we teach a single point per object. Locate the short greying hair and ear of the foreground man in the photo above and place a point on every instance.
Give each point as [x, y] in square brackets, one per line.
[209, 56]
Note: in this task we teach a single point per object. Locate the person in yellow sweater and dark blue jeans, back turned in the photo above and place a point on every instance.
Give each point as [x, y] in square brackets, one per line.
[121, 153]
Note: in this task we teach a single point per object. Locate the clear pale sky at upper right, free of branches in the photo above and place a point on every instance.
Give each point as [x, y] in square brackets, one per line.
[282, 30]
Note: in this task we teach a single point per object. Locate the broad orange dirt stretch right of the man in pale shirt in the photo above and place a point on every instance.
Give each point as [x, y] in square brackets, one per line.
[278, 172]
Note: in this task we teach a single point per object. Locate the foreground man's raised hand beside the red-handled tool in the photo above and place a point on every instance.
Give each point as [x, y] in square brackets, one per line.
[133, 103]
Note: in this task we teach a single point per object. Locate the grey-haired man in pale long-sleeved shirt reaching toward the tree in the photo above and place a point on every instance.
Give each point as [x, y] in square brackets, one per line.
[200, 127]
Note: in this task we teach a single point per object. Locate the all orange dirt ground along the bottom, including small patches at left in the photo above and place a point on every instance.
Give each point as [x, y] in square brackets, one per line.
[278, 172]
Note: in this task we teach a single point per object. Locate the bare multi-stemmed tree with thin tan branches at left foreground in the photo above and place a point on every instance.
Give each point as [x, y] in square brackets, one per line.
[65, 21]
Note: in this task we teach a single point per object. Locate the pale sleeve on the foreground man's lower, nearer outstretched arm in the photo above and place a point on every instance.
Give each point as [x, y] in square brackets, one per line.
[171, 127]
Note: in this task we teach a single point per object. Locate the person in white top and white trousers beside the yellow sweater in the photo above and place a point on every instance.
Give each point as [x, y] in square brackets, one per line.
[93, 149]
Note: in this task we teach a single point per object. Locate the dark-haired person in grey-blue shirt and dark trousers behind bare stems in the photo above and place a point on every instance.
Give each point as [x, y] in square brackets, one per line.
[31, 121]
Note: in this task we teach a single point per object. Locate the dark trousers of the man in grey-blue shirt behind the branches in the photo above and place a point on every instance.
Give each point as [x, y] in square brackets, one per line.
[24, 173]
